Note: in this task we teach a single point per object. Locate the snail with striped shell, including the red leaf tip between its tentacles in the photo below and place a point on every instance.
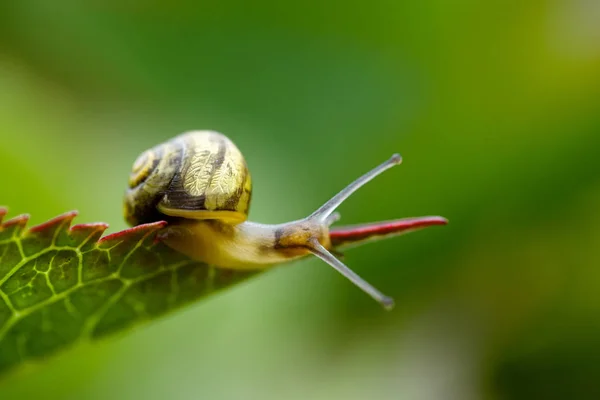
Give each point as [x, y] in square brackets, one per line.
[199, 182]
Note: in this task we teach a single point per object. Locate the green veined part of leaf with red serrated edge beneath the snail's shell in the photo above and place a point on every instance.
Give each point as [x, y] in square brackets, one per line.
[61, 285]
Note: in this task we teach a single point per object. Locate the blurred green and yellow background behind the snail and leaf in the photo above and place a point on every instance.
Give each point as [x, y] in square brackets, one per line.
[495, 107]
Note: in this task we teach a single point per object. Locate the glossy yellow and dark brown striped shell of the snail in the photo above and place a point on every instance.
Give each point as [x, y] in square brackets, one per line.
[196, 175]
